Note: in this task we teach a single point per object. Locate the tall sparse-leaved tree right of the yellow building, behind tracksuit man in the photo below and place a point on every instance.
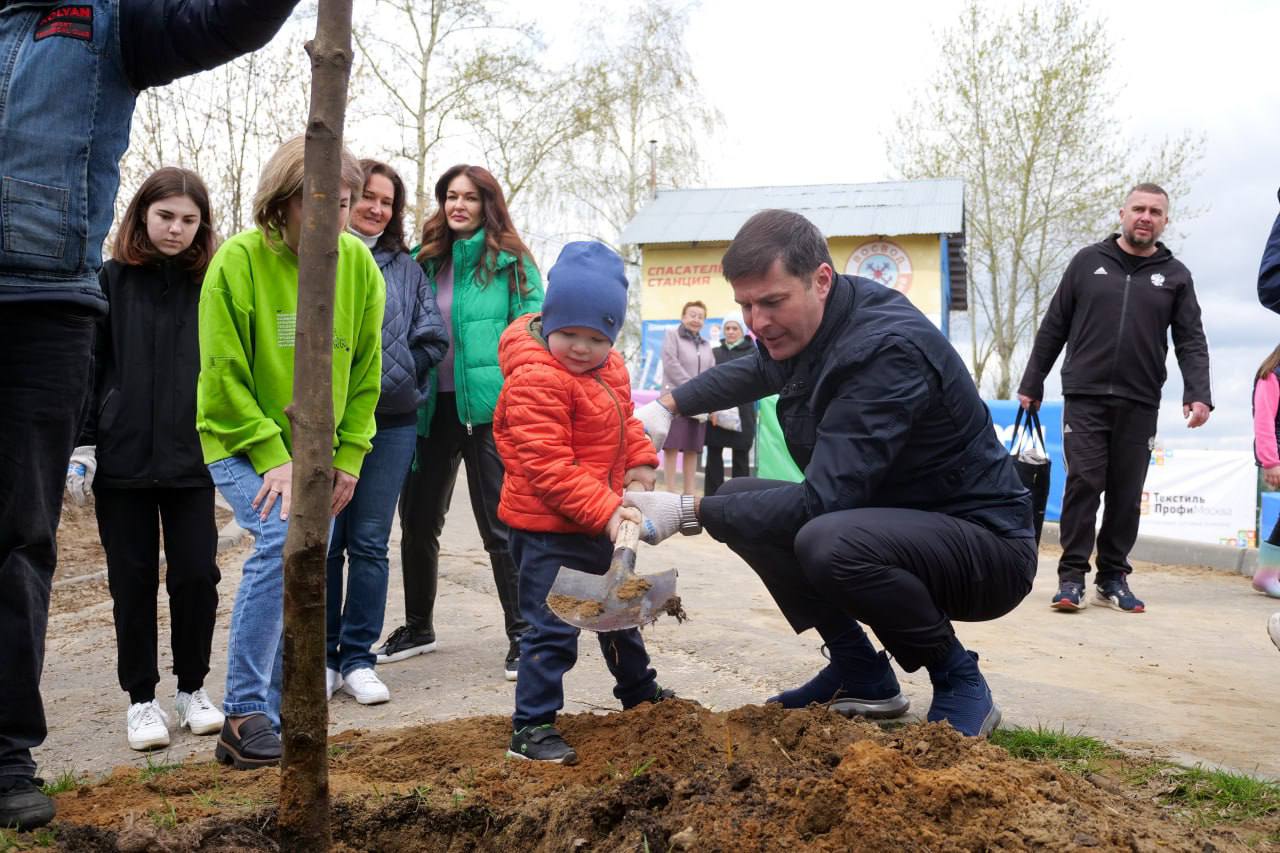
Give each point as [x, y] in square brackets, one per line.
[1022, 111]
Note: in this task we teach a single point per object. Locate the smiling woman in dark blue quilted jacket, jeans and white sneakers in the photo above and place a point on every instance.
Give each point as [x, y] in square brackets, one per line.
[414, 341]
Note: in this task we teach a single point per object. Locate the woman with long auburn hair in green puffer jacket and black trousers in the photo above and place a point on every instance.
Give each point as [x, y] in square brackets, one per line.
[484, 277]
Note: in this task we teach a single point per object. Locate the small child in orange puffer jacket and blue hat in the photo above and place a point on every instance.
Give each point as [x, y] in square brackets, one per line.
[570, 444]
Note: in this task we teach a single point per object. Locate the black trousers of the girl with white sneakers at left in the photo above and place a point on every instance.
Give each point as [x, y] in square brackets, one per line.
[129, 523]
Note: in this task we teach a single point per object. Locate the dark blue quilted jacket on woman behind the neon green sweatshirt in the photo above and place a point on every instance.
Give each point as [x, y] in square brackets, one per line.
[414, 336]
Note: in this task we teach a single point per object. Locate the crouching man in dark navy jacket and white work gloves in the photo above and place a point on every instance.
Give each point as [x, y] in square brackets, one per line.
[911, 513]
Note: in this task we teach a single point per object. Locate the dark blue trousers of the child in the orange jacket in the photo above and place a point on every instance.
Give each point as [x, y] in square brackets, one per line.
[548, 650]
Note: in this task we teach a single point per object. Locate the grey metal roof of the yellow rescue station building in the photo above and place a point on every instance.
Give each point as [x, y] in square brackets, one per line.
[838, 209]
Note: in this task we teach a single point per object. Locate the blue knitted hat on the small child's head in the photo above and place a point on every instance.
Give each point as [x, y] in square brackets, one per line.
[587, 288]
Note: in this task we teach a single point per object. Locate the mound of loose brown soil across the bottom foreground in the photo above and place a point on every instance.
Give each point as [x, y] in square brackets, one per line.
[669, 777]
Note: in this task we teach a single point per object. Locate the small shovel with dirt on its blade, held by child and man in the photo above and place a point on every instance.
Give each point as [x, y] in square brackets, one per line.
[618, 600]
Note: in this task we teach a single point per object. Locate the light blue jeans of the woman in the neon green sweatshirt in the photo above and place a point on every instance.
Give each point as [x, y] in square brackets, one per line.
[255, 647]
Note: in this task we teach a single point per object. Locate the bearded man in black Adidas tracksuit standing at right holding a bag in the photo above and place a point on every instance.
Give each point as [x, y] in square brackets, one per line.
[1114, 309]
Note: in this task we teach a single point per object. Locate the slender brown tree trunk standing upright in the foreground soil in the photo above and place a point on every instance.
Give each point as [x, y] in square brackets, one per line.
[304, 813]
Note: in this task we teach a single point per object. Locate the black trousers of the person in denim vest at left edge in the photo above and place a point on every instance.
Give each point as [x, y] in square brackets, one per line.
[45, 363]
